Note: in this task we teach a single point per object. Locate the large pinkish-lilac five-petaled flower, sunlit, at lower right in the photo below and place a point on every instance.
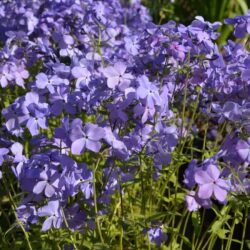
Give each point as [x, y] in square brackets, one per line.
[210, 183]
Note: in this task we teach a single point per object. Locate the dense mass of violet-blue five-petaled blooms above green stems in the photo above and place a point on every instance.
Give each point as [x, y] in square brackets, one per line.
[103, 86]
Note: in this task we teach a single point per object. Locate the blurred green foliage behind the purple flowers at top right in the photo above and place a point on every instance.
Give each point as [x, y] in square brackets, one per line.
[184, 11]
